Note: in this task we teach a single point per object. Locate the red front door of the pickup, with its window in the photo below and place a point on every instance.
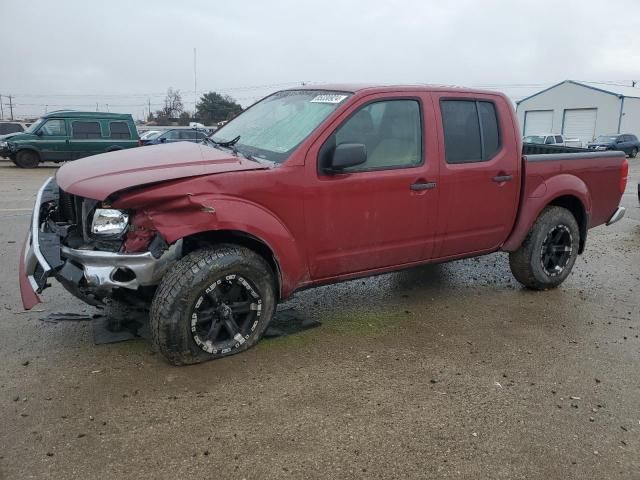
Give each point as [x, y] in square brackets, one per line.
[380, 213]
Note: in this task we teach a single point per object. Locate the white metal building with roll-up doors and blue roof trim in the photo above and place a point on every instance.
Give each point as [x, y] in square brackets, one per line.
[581, 110]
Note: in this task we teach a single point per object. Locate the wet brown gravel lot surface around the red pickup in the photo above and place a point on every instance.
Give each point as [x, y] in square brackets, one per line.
[447, 371]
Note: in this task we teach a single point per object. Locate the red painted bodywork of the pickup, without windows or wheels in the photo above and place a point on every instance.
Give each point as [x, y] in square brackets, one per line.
[322, 228]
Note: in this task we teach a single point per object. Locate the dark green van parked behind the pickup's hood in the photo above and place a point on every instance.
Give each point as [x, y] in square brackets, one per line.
[66, 135]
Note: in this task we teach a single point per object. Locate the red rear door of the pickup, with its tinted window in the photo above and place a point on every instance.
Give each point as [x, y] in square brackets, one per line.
[479, 176]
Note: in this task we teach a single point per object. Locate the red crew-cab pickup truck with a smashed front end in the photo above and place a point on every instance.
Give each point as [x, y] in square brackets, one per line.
[307, 187]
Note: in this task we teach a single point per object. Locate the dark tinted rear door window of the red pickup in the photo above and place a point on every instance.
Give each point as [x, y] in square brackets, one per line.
[471, 130]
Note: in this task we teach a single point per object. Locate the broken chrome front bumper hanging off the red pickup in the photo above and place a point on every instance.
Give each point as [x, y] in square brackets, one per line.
[89, 274]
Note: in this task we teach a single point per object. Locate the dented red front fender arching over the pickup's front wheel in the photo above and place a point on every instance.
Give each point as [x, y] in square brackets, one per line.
[195, 214]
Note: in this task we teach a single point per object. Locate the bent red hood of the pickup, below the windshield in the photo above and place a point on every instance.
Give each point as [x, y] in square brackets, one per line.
[99, 176]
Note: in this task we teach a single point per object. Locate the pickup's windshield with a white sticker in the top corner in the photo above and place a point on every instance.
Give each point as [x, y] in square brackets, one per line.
[274, 127]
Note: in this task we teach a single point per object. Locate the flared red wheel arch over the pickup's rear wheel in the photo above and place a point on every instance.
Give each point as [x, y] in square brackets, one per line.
[542, 195]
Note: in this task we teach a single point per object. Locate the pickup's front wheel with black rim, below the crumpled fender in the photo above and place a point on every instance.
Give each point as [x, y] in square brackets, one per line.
[212, 303]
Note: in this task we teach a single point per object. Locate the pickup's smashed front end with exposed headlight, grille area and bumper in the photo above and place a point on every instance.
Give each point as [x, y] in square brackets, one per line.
[89, 256]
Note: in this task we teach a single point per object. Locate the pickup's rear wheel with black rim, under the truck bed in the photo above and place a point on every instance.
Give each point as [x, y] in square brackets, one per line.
[548, 253]
